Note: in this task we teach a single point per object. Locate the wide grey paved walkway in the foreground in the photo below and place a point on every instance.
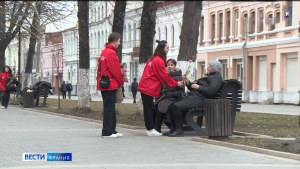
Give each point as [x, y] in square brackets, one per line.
[24, 131]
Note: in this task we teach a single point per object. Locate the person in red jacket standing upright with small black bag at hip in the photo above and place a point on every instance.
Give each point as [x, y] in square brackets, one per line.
[109, 65]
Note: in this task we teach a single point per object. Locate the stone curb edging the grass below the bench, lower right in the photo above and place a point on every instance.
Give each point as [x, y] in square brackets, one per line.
[249, 148]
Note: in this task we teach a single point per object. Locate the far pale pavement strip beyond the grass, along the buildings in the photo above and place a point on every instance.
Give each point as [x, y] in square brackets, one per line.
[246, 107]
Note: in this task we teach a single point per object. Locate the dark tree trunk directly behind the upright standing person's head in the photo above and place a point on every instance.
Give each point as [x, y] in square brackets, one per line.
[118, 24]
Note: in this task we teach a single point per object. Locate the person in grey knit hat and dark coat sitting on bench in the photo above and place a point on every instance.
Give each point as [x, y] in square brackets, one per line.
[205, 88]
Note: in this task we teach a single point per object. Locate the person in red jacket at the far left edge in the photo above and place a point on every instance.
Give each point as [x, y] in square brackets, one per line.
[6, 74]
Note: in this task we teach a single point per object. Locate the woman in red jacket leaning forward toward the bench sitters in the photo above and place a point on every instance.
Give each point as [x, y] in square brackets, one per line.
[153, 76]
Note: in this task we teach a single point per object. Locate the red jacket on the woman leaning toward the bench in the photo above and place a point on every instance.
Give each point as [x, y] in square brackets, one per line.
[154, 74]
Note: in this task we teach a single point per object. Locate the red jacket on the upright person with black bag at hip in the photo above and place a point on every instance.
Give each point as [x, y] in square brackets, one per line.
[110, 66]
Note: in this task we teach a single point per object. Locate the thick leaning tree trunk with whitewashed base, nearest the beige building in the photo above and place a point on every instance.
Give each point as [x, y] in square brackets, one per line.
[189, 36]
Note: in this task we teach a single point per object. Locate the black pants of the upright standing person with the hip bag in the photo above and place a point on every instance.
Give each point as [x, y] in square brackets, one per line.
[109, 114]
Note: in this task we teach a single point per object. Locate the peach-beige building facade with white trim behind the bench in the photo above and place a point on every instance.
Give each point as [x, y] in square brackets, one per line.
[269, 32]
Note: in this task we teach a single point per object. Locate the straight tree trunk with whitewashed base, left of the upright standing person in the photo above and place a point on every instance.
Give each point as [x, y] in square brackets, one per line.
[84, 57]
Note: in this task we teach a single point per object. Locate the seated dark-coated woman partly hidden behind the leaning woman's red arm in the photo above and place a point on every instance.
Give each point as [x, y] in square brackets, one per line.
[168, 95]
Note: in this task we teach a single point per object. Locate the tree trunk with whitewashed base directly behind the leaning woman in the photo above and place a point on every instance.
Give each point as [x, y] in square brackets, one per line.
[148, 22]
